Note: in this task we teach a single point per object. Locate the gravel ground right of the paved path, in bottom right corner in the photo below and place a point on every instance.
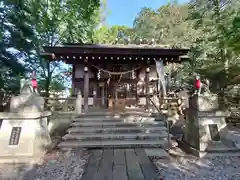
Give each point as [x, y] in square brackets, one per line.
[208, 168]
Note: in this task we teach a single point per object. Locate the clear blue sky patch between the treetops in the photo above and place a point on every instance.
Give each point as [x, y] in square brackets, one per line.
[123, 12]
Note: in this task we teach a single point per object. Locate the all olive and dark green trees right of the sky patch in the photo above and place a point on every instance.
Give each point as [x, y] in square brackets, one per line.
[209, 28]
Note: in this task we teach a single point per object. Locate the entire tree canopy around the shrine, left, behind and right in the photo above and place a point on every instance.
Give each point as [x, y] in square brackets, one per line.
[211, 29]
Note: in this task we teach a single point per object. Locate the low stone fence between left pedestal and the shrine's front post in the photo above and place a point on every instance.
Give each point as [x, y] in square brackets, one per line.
[60, 104]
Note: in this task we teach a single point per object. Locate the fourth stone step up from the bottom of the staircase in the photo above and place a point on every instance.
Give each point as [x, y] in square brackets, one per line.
[116, 124]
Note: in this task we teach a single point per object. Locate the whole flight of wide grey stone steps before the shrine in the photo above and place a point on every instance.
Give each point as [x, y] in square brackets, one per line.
[122, 130]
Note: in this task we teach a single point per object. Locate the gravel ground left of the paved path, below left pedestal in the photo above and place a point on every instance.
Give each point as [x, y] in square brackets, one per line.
[54, 166]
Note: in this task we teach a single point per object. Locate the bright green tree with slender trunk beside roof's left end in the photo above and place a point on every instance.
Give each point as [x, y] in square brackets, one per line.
[59, 22]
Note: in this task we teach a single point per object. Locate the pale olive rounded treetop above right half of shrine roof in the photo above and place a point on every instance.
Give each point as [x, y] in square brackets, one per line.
[168, 25]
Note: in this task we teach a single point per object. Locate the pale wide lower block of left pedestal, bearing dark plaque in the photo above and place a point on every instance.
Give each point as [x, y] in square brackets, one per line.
[23, 136]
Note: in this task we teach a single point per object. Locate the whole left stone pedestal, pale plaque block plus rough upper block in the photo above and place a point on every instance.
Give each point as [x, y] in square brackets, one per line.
[24, 132]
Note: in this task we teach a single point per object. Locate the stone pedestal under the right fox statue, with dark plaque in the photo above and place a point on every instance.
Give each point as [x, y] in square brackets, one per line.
[205, 123]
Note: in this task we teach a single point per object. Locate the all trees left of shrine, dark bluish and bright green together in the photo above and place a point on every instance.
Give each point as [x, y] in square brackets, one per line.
[28, 25]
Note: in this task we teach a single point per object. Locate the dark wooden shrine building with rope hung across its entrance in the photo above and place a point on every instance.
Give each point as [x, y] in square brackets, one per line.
[114, 76]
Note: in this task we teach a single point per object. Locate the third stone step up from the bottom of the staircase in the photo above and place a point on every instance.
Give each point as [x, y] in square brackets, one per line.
[115, 129]
